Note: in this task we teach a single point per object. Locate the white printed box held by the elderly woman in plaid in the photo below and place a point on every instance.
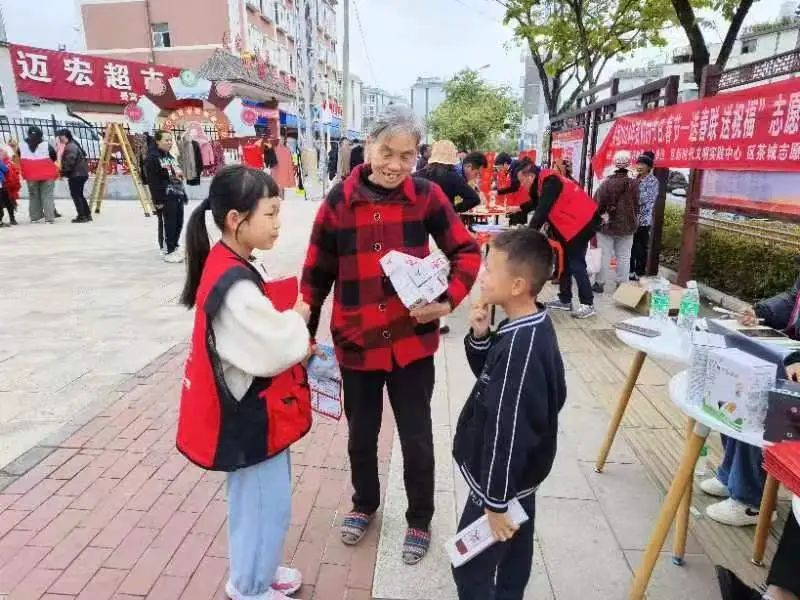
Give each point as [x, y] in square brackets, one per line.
[417, 281]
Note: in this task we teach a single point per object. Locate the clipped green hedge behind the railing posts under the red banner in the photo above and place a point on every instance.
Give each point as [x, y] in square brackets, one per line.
[744, 267]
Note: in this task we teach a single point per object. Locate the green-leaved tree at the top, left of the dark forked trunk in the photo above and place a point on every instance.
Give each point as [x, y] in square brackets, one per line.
[573, 40]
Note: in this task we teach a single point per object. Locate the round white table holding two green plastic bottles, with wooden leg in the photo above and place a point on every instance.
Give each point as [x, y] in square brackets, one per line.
[672, 345]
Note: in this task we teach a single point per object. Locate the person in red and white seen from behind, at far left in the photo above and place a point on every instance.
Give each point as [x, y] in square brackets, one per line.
[38, 162]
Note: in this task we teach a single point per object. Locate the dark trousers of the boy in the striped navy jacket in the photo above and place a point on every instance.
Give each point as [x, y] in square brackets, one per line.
[502, 571]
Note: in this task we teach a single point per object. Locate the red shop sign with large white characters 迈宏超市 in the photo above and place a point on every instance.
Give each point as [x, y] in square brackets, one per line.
[78, 77]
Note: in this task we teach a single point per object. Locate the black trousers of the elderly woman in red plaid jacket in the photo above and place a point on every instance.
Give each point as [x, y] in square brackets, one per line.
[410, 390]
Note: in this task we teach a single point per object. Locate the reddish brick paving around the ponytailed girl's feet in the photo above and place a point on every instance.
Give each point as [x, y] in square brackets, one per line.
[99, 519]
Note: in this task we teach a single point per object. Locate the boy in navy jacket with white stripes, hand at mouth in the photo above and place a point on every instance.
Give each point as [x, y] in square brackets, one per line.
[505, 441]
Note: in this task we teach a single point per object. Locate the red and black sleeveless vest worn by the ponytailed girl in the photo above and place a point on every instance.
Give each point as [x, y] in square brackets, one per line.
[216, 431]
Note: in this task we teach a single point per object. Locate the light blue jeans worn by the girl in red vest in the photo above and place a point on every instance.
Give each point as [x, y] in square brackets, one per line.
[259, 509]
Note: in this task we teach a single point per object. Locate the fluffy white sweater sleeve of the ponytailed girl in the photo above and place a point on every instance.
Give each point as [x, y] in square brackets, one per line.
[255, 340]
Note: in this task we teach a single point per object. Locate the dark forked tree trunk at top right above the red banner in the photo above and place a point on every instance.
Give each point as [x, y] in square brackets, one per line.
[734, 12]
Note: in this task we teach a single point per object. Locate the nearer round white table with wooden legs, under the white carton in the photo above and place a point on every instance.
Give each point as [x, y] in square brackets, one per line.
[676, 505]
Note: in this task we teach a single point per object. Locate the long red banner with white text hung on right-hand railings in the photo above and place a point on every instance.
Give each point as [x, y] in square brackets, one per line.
[753, 129]
